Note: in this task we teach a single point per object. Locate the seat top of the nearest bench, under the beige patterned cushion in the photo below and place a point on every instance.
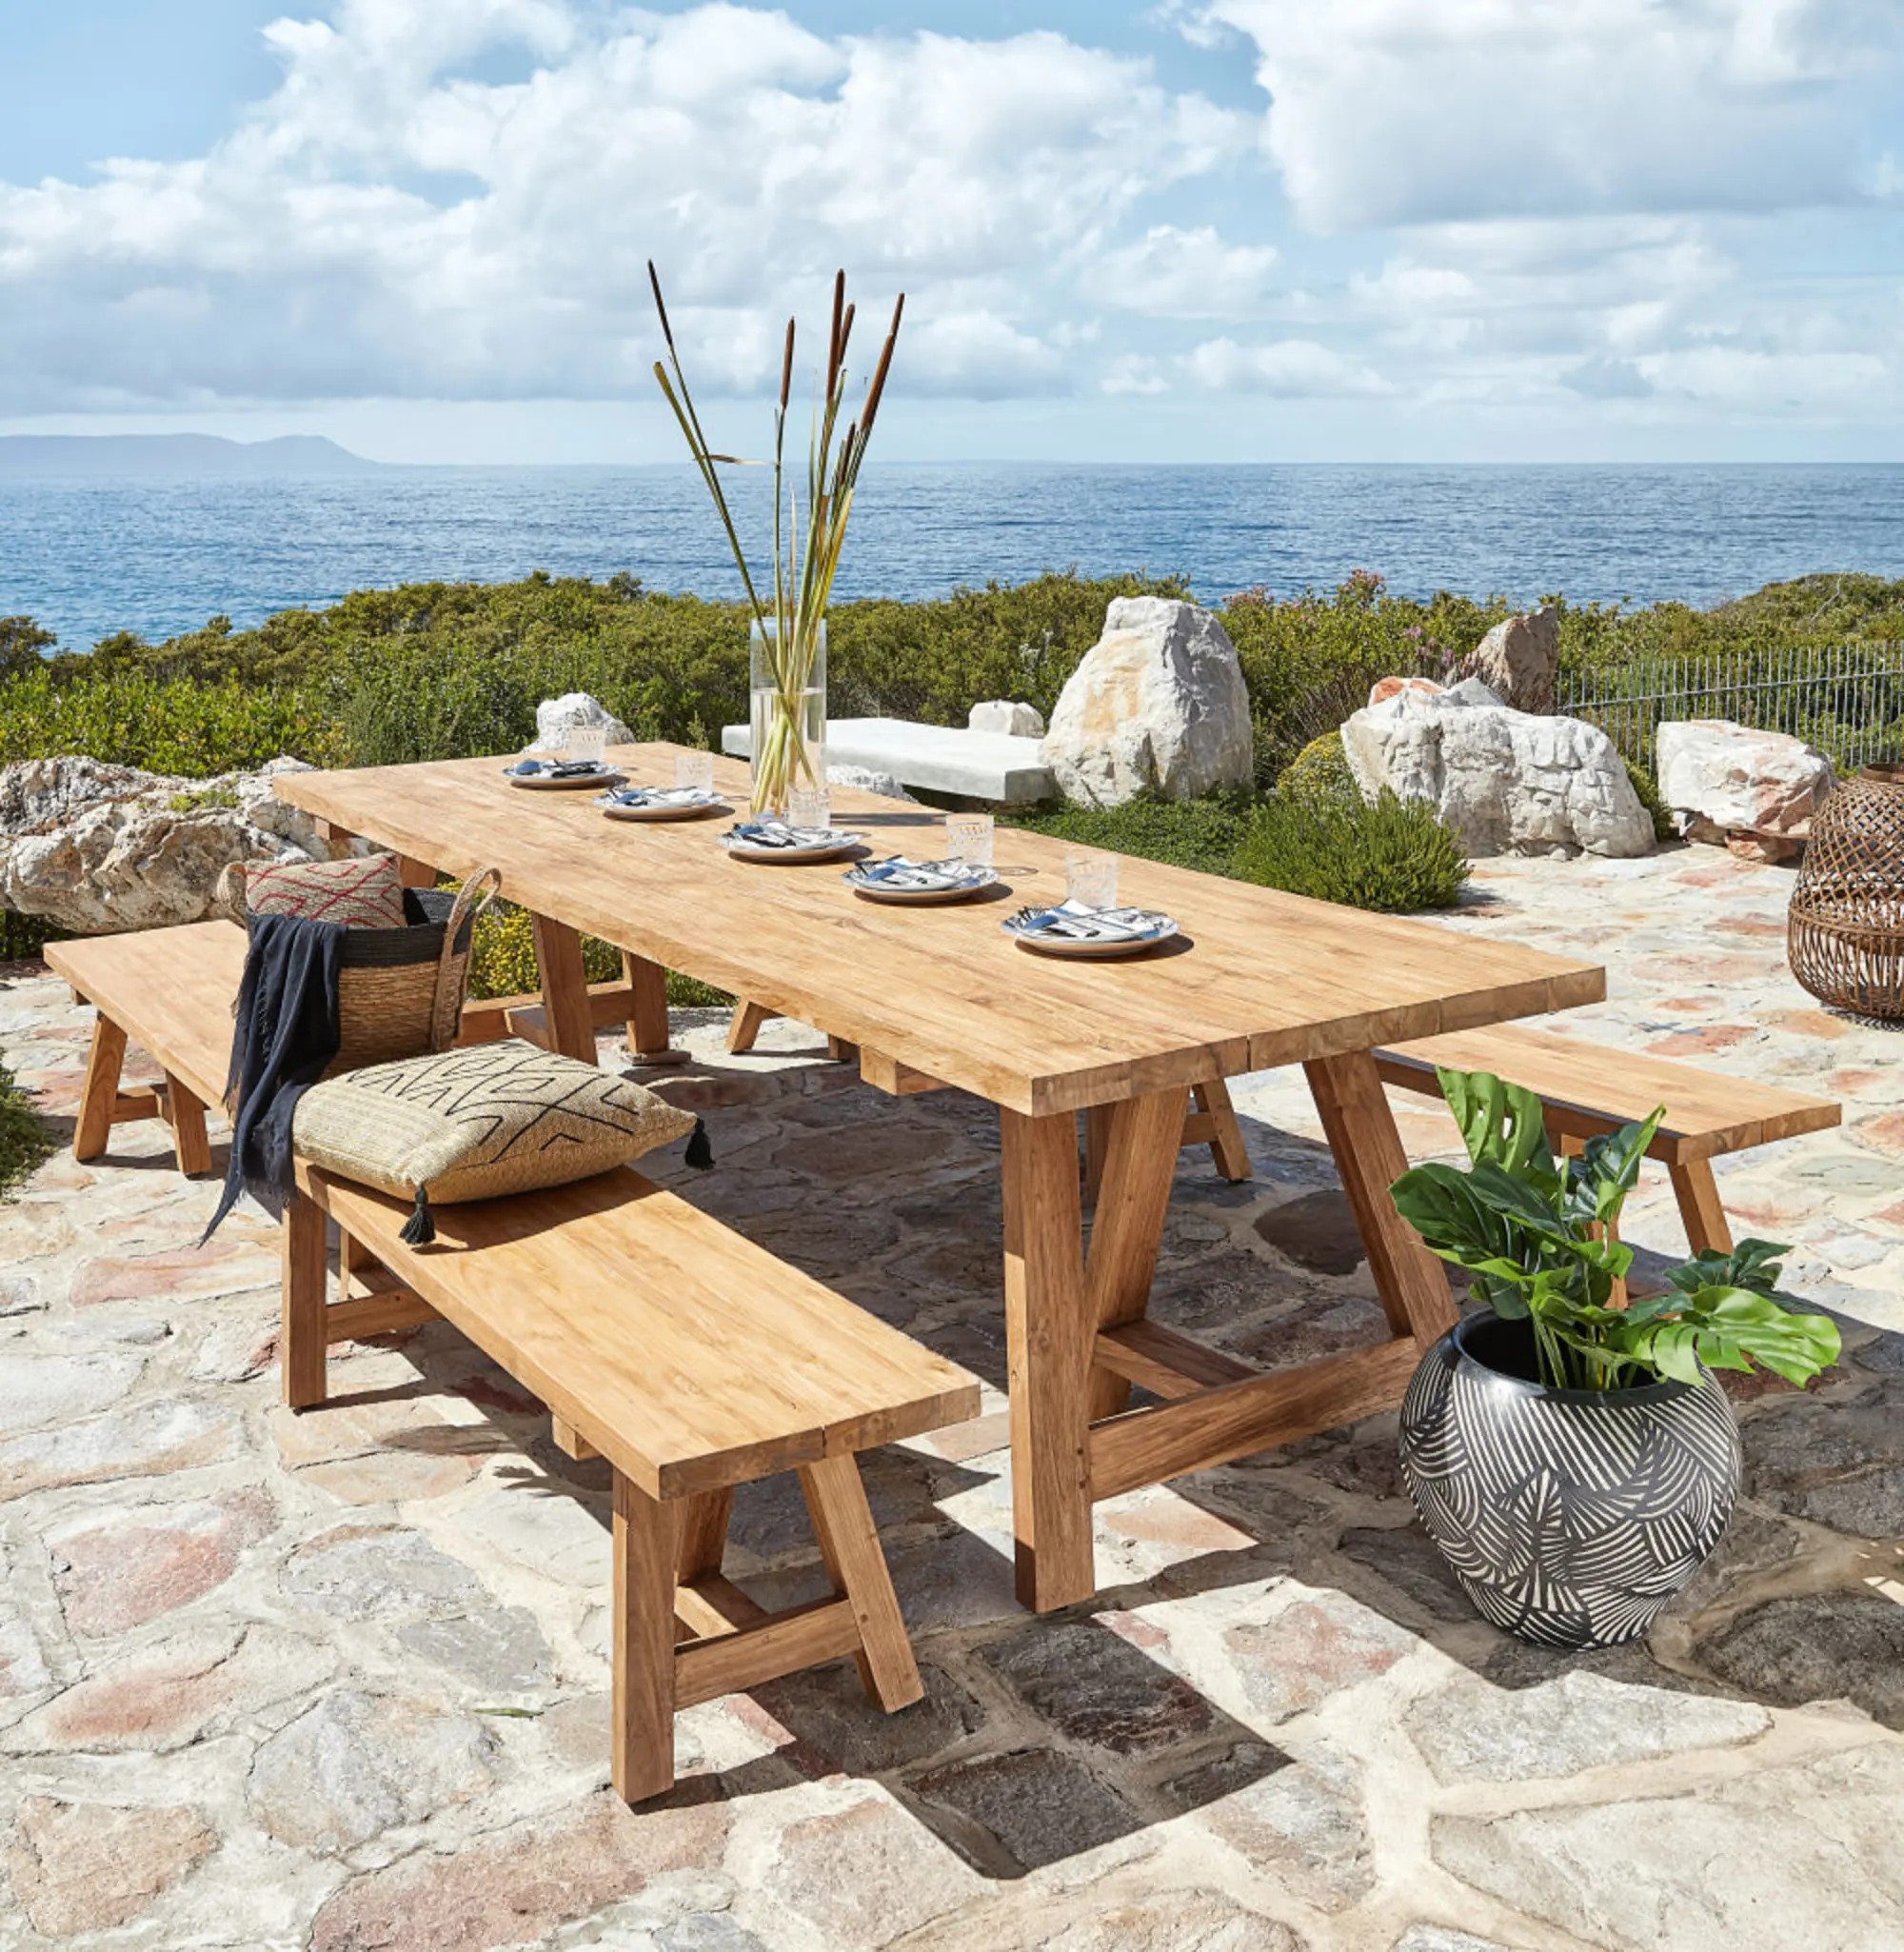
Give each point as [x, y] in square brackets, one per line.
[682, 1352]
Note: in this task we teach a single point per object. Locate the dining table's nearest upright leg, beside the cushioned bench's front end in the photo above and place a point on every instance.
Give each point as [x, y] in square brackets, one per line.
[1049, 1340]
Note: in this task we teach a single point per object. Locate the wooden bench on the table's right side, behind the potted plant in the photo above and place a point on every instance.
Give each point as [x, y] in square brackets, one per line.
[1593, 1088]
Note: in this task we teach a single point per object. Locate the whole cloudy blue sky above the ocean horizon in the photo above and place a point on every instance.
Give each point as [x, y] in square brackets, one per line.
[1177, 231]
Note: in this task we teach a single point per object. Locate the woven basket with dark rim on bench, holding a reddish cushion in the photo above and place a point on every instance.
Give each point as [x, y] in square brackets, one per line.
[401, 991]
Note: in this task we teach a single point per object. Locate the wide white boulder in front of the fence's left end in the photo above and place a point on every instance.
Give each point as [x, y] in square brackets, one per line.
[1505, 782]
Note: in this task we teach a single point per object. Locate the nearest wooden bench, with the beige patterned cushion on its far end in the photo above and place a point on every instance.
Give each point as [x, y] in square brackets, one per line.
[692, 1362]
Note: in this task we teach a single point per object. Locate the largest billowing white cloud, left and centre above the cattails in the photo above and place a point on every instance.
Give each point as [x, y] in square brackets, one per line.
[383, 224]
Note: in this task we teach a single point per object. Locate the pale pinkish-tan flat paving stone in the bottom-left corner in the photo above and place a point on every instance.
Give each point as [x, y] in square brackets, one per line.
[91, 1867]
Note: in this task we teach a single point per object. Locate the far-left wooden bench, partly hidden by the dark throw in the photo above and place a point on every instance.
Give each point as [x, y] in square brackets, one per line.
[171, 993]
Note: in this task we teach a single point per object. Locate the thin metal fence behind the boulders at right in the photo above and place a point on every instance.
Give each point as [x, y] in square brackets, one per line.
[1846, 700]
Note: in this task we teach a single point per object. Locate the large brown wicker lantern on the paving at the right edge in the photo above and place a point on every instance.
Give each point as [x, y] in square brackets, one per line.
[1846, 926]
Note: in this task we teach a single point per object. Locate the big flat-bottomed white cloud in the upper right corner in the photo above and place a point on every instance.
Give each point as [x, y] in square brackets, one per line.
[1392, 112]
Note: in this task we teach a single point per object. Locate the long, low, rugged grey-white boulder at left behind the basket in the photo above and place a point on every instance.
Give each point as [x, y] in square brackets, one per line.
[99, 850]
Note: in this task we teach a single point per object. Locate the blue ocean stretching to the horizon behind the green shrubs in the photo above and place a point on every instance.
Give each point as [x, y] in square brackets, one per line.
[163, 555]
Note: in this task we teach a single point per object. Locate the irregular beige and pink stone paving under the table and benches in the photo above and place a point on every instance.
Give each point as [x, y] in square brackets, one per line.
[338, 1682]
